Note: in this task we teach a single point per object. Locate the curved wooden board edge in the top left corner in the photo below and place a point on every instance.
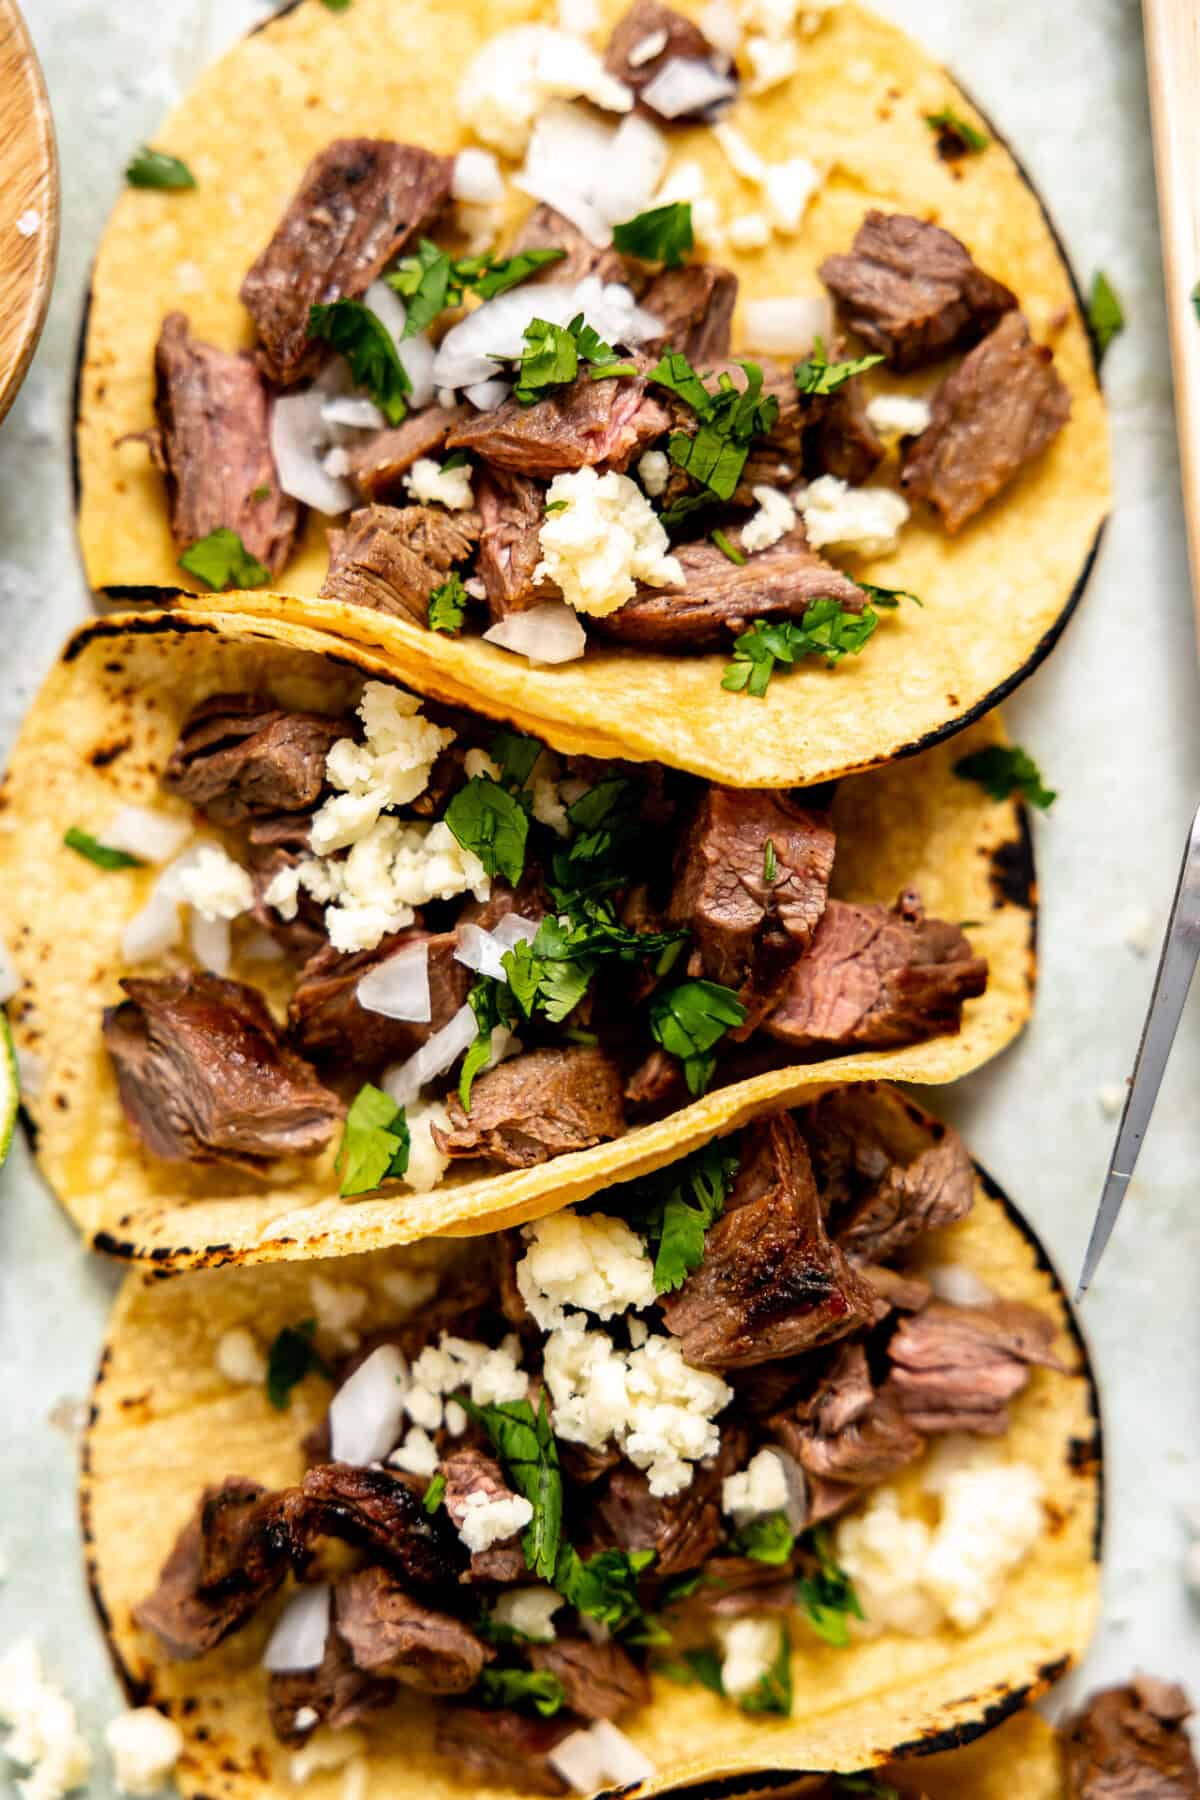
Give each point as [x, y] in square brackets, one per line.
[28, 202]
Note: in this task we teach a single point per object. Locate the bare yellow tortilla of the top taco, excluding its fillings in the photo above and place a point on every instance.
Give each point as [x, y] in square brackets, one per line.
[996, 597]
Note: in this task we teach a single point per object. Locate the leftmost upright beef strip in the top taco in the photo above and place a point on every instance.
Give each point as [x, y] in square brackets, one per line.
[215, 447]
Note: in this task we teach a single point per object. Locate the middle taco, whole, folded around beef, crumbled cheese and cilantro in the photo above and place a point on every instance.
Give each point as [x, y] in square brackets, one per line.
[434, 973]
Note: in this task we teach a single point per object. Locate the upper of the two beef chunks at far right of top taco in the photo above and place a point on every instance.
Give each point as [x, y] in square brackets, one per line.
[911, 291]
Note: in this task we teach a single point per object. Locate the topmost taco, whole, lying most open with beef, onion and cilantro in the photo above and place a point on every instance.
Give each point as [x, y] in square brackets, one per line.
[721, 372]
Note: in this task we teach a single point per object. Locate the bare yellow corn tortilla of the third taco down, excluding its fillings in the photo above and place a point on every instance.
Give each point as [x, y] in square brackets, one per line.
[166, 1423]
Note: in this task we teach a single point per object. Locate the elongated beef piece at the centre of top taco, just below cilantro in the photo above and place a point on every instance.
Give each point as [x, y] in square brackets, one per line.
[575, 427]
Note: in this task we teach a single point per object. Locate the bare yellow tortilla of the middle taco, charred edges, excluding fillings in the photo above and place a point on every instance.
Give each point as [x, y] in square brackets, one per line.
[102, 732]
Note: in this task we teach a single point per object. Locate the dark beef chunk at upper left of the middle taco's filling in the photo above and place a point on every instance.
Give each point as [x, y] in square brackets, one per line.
[240, 757]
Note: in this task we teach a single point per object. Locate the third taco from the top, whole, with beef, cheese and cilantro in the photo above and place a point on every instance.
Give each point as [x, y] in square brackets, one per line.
[782, 1459]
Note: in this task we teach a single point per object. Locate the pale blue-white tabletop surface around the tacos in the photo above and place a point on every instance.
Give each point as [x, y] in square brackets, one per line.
[1111, 721]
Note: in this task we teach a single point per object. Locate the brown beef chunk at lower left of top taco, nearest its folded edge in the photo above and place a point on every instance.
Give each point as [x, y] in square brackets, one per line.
[393, 557]
